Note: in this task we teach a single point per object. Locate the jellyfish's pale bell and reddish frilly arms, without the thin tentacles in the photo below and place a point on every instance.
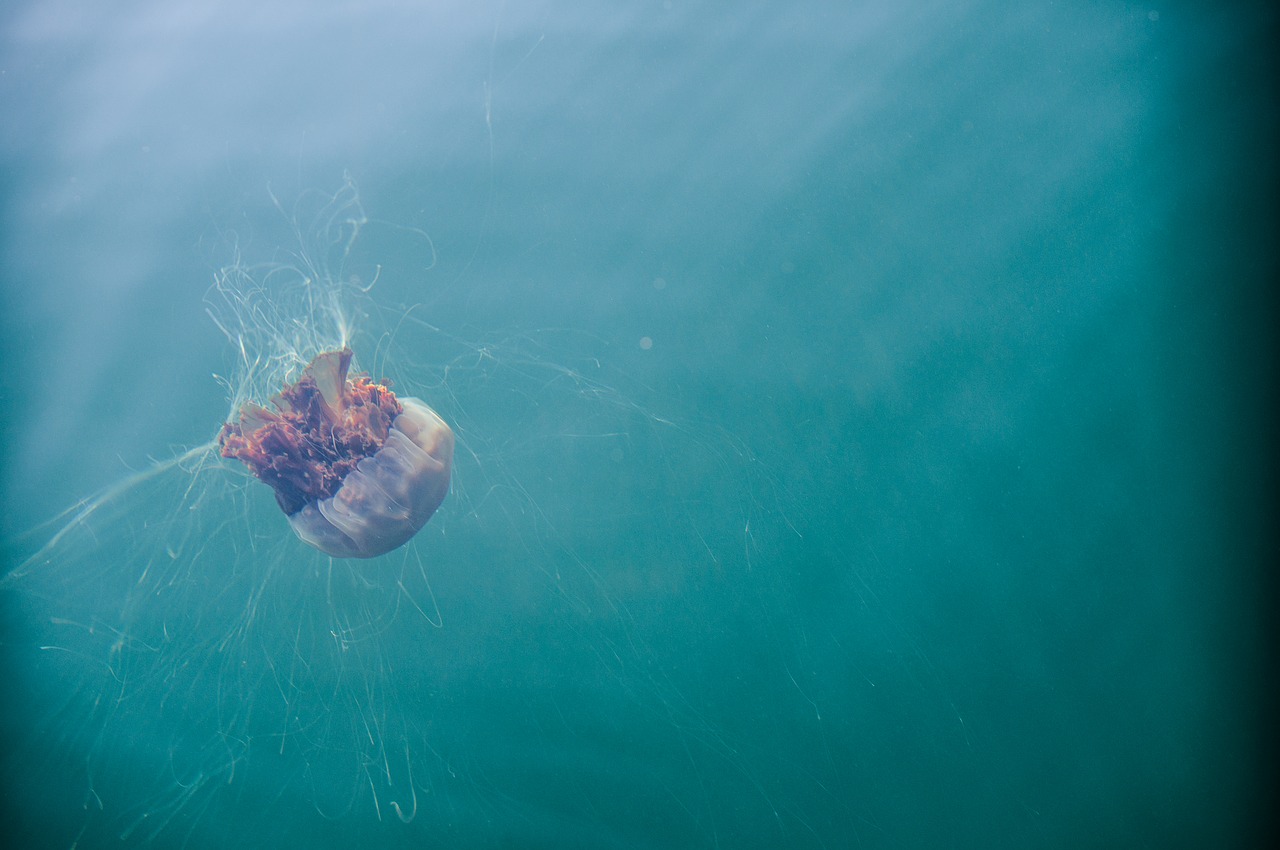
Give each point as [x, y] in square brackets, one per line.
[356, 470]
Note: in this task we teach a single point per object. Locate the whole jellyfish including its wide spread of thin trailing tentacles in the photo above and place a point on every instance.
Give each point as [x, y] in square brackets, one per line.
[194, 677]
